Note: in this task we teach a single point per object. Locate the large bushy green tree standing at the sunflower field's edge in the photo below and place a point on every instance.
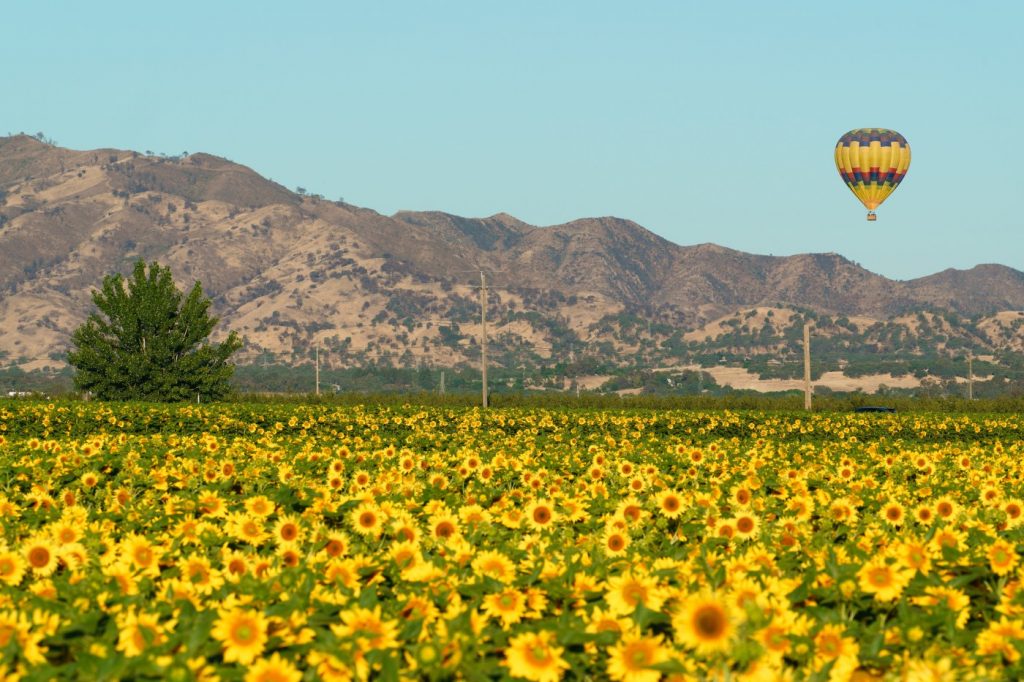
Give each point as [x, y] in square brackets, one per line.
[150, 344]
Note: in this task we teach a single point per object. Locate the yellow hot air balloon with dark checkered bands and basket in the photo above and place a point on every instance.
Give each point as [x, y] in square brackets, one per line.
[873, 162]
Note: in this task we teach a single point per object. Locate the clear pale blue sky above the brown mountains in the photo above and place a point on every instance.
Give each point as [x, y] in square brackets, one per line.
[702, 121]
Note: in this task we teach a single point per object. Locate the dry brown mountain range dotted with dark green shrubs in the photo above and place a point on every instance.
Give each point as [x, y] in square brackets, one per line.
[290, 272]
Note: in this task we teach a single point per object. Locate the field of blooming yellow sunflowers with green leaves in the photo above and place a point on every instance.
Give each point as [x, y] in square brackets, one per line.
[287, 542]
